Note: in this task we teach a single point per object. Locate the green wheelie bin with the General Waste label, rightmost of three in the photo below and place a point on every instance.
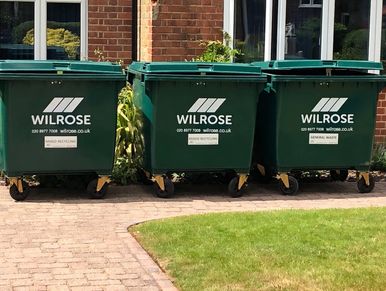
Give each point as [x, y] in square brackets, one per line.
[317, 115]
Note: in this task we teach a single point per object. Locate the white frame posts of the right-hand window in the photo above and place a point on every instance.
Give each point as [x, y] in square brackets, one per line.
[327, 28]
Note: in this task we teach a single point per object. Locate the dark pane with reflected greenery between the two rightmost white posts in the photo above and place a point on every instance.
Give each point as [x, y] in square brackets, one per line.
[351, 31]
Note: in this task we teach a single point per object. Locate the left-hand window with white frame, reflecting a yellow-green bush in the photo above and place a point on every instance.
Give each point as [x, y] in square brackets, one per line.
[43, 29]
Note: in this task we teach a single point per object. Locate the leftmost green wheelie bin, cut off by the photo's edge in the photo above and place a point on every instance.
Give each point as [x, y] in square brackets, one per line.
[58, 118]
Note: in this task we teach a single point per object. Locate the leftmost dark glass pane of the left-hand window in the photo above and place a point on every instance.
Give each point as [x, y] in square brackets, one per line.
[16, 23]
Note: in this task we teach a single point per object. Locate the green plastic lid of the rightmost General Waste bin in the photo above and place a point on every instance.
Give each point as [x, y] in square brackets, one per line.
[318, 64]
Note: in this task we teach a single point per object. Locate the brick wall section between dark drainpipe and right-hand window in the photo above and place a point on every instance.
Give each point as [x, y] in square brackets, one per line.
[177, 26]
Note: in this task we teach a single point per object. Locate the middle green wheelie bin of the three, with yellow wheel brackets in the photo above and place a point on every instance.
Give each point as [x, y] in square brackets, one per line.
[198, 117]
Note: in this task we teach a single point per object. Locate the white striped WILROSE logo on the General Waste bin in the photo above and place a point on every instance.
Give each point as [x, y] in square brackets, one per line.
[324, 112]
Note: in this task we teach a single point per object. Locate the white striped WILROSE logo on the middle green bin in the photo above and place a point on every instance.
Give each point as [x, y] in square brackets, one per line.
[204, 106]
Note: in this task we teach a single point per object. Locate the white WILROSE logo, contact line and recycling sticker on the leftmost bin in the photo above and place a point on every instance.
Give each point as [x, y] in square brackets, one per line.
[57, 121]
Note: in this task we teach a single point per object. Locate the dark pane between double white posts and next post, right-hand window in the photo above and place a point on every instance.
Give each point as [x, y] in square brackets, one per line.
[303, 30]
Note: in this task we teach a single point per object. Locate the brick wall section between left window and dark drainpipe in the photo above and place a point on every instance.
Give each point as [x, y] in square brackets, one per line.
[109, 29]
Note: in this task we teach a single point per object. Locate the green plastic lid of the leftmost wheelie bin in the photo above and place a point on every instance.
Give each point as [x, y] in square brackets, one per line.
[20, 66]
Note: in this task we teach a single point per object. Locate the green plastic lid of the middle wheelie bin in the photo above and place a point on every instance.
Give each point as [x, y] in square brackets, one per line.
[194, 68]
